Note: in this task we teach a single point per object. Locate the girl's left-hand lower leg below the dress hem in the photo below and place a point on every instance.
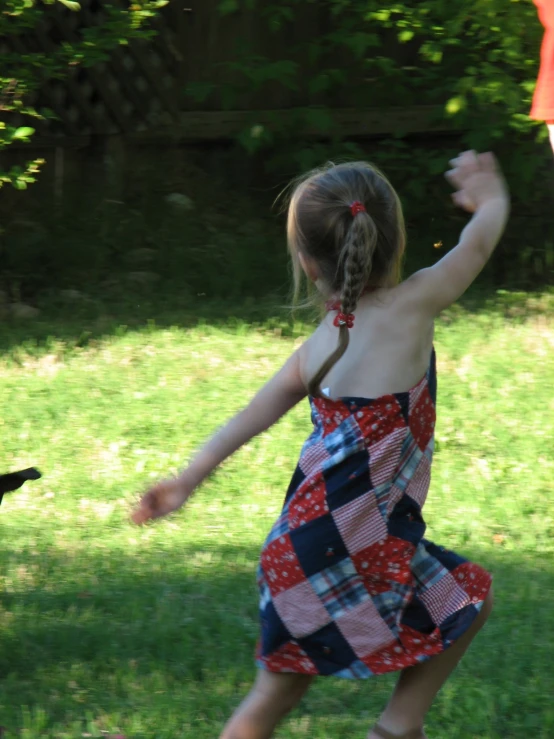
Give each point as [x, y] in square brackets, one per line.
[271, 698]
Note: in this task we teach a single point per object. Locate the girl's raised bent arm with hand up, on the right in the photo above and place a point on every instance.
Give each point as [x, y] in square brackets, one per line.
[480, 189]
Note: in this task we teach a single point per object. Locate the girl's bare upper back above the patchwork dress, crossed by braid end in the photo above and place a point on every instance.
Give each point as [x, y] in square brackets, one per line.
[389, 350]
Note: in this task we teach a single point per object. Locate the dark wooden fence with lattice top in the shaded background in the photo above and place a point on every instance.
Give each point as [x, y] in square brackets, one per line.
[140, 92]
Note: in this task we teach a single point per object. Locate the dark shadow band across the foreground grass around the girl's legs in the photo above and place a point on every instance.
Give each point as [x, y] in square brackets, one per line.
[121, 627]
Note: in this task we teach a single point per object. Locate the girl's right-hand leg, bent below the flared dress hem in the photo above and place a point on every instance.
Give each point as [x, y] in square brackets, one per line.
[418, 686]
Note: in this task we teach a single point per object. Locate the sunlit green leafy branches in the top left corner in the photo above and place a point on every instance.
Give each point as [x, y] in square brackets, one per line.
[23, 72]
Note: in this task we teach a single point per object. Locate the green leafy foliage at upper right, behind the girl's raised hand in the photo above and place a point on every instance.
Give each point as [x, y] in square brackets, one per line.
[476, 61]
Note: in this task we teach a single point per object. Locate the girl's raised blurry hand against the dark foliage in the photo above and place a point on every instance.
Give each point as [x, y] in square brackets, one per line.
[477, 179]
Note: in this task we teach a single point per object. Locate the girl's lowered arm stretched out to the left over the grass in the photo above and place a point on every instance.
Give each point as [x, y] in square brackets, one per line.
[278, 396]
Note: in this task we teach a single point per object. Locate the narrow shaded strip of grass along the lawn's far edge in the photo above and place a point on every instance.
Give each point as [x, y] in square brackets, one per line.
[82, 324]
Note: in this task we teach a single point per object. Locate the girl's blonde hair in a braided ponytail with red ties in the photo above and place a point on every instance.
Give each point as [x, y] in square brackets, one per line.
[353, 253]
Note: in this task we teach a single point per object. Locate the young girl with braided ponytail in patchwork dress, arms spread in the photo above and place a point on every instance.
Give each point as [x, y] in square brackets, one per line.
[348, 585]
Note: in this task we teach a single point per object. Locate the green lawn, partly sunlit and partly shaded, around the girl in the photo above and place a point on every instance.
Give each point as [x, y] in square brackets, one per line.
[105, 628]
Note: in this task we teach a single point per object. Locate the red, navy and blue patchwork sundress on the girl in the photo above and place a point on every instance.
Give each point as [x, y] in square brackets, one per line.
[348, 585]
